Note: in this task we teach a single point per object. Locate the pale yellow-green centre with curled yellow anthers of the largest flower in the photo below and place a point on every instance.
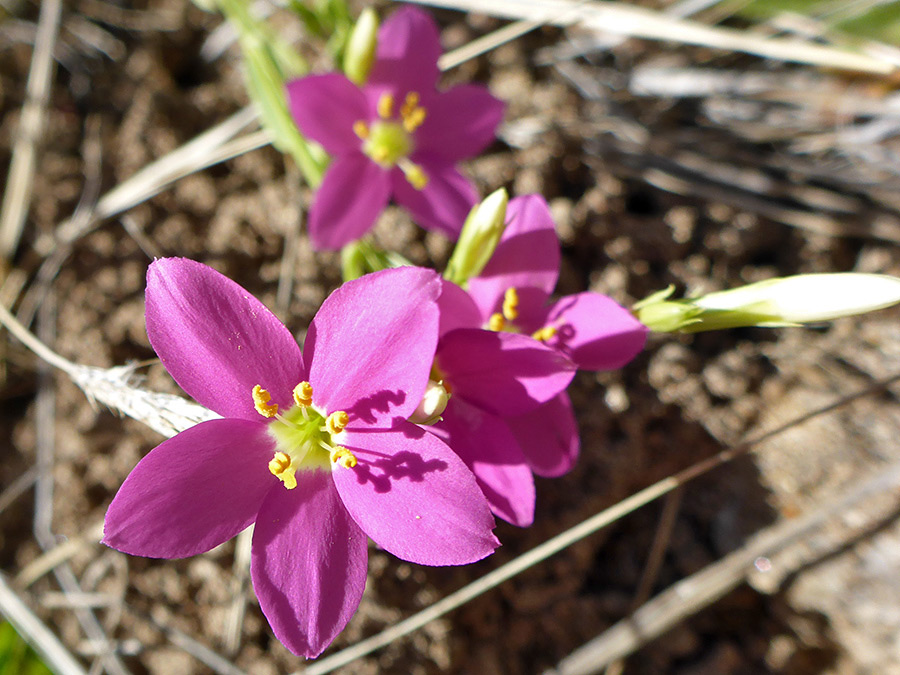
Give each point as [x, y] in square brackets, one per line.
[304, 435]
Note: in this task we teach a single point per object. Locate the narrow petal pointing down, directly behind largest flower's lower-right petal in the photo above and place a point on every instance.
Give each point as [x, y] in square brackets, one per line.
[488, 447]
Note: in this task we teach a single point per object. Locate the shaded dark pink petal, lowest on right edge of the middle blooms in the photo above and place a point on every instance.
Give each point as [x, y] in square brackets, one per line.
[549, 437]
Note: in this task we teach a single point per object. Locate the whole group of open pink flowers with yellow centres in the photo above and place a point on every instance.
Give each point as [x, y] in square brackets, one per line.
[325, 447]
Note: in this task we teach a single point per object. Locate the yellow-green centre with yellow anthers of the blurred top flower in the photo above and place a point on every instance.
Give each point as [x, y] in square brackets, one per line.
[388, 140]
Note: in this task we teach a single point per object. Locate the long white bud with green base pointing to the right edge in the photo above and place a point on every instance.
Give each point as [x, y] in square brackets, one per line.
[784, 301]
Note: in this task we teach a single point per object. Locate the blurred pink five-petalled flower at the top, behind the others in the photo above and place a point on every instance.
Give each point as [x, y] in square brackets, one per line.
[397, 135]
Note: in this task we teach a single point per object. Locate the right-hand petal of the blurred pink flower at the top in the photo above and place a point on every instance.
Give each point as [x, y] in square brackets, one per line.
[460, 123]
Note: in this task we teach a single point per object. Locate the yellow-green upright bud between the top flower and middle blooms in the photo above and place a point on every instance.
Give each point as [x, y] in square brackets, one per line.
[479, 237]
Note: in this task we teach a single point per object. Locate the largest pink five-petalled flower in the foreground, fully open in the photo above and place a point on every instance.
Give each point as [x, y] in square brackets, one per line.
[314, 449]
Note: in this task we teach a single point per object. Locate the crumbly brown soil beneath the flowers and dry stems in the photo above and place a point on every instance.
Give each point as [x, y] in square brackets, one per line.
[576, 134]
